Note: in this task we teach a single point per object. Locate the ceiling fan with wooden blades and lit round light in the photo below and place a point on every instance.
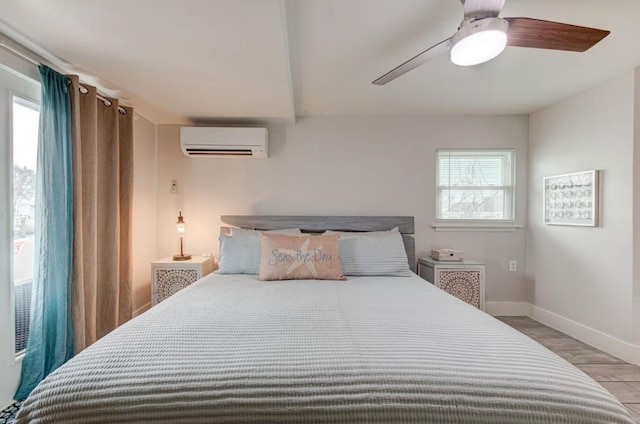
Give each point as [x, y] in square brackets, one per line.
[483, 35]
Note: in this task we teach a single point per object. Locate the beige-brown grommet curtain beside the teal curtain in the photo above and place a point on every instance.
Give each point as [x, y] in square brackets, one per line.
[103, 189]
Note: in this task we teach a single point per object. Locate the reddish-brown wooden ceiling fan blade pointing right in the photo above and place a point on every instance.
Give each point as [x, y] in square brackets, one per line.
[527, 32]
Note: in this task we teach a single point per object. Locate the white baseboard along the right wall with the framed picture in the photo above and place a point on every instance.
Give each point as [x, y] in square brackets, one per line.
[612, 345]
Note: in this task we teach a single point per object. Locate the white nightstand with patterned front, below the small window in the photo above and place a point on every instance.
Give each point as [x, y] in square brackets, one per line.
[464, 280]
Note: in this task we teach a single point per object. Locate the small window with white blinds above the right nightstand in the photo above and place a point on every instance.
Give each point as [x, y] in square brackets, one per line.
[475, 185]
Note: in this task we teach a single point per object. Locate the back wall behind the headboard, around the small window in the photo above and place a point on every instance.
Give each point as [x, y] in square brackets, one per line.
[344, 166]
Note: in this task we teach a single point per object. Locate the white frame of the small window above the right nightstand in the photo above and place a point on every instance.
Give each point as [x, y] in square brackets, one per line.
[509, 194]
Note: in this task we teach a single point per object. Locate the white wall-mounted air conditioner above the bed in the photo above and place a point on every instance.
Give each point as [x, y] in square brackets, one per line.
[224, 142]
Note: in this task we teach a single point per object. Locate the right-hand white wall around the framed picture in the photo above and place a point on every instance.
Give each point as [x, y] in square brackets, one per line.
[585, 274]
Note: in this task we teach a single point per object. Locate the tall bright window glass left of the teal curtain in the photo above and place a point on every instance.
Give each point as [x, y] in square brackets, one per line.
[25, 122]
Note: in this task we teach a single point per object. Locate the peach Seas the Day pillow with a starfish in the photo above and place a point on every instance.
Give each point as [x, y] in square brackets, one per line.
[286, 257]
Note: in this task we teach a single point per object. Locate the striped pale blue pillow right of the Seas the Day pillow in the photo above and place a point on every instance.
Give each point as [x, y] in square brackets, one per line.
[374, 253]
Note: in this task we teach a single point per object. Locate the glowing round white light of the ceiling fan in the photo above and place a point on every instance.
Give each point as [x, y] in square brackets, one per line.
[479, 41]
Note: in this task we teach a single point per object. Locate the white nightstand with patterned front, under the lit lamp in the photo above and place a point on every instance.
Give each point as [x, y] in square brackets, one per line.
[169, 276]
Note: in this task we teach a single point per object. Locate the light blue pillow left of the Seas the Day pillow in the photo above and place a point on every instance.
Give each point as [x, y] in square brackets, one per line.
[239, 255]
